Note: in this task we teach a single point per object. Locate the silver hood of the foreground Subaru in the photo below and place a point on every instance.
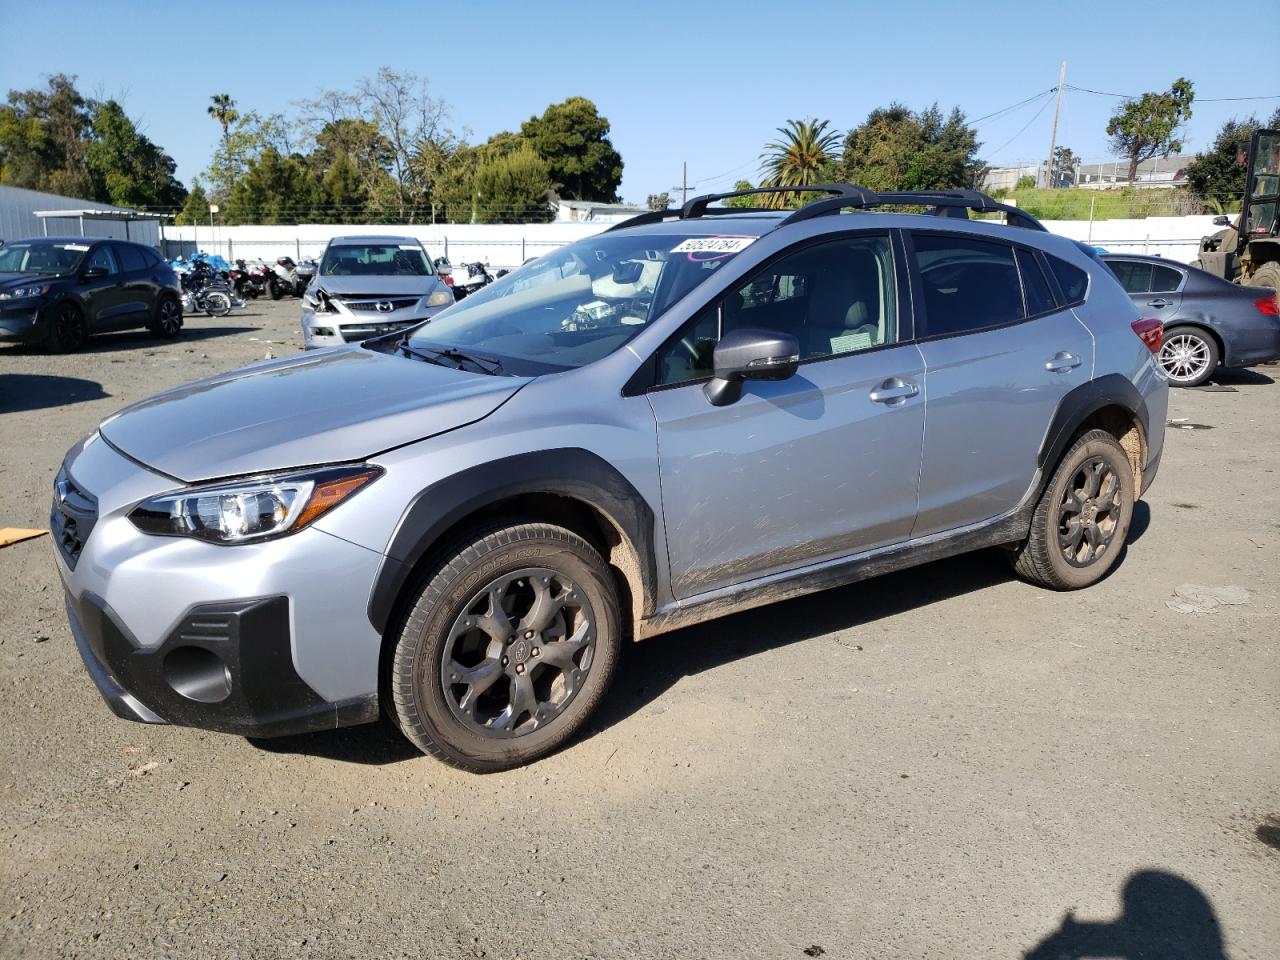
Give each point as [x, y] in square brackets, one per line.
[323, 408]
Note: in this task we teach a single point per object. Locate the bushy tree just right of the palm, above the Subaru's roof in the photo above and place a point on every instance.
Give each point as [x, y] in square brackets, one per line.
[899, 149]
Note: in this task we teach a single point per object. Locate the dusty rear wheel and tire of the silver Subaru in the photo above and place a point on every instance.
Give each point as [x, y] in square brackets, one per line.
[1059, 551]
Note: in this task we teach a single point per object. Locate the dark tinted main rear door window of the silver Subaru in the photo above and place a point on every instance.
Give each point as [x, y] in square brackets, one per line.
[970, 284]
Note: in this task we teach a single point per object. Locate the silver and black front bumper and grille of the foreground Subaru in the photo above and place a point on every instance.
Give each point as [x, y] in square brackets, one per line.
[257, 639]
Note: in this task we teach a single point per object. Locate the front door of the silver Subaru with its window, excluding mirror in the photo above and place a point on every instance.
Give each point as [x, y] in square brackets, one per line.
[798, 472]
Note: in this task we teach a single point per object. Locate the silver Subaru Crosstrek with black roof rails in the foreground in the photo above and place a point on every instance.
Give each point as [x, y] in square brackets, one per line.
[694, 413]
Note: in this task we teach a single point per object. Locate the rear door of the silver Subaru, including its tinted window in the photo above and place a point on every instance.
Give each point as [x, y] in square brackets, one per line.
[1000, 354]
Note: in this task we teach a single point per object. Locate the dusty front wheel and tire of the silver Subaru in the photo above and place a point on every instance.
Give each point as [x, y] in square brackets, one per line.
[541, 659]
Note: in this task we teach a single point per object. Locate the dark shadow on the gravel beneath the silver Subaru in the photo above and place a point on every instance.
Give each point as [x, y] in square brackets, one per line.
[650, 669]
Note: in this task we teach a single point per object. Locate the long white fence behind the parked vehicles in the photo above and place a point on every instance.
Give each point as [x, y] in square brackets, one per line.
[510, 245]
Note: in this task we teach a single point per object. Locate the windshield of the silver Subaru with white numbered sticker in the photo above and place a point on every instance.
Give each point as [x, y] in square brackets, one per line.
[579, 304]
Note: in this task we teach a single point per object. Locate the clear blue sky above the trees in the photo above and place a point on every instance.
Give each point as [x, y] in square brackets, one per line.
[706, 83]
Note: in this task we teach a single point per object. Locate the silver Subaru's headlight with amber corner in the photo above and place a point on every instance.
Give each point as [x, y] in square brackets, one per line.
[252, 510]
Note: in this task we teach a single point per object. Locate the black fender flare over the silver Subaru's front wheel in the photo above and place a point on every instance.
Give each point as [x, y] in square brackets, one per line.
[572, 473]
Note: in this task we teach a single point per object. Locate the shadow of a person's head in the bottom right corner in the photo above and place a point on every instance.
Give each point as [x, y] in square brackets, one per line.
[1164, 916]
